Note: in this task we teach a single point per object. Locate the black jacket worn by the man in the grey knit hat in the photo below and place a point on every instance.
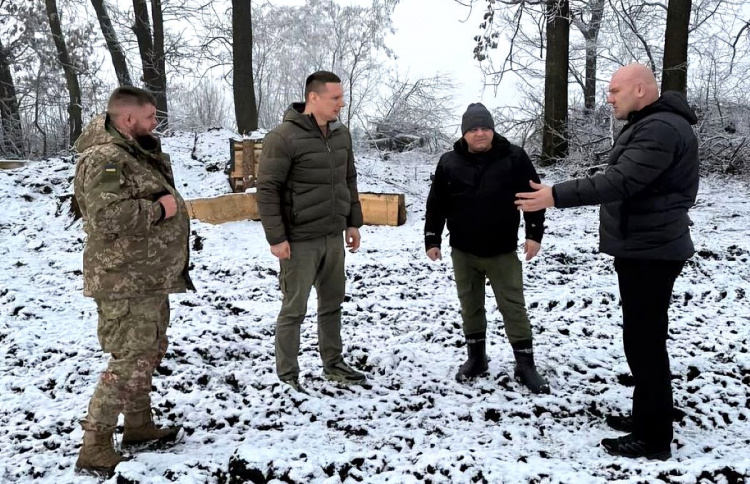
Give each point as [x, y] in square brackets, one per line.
[475, 192]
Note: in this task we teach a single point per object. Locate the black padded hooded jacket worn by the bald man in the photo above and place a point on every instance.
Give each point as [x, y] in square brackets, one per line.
[649, 185]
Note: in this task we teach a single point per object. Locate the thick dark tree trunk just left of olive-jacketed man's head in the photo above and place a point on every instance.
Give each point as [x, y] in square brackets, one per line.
[245, 108]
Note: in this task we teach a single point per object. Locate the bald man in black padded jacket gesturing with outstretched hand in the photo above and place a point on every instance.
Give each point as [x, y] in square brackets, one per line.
[650, 183]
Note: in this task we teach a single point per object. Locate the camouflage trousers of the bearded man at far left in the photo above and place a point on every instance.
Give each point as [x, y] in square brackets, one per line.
[134, 332]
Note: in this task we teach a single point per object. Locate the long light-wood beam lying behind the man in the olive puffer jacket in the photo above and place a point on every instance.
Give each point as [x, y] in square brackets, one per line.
[377, 208]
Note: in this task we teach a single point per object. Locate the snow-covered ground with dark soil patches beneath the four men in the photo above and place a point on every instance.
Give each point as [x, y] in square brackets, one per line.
[413, 422]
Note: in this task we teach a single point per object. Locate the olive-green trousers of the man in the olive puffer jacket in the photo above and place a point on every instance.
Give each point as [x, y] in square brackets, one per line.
[320, 263]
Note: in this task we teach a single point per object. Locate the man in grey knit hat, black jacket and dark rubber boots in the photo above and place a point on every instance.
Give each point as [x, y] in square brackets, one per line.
[473, 190]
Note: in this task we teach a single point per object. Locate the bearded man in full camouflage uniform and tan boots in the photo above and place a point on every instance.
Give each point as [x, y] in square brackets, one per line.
[136, 254]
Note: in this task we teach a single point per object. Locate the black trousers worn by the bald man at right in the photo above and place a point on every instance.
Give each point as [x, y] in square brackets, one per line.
[645, 291]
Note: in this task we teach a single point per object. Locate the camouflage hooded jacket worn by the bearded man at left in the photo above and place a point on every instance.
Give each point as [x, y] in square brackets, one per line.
[130, 251]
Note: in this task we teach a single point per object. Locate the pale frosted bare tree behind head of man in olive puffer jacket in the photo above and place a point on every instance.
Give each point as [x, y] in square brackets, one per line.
[289, 43]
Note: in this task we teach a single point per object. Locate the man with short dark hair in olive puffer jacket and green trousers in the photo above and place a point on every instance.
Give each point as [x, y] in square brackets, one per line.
[307, 197]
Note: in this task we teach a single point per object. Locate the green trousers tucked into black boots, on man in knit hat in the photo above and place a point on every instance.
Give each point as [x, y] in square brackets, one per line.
[506, 278]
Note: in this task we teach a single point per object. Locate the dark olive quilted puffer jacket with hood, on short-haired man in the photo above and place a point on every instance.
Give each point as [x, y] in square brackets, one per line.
[307, 184]
